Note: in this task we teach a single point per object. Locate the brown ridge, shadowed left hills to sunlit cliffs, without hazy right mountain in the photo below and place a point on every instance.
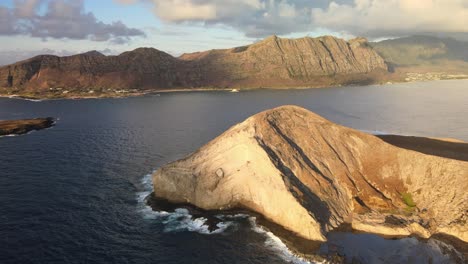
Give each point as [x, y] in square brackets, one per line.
[272, 62]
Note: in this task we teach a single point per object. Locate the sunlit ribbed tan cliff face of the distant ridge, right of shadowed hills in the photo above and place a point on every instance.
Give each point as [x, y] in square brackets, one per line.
[276, 61]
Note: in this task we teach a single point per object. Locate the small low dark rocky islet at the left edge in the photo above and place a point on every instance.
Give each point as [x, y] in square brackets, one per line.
[23, 126]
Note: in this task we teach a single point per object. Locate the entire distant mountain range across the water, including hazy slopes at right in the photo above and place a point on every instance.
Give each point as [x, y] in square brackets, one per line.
[273, 62]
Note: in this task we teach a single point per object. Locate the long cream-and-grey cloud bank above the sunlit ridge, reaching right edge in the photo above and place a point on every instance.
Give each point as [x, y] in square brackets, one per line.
[371, 18]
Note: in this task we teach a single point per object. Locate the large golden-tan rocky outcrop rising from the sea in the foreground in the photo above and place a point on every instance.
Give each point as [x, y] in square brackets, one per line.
[311, 176]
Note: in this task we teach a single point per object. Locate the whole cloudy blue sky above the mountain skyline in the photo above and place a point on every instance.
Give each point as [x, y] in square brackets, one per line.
[64, 27]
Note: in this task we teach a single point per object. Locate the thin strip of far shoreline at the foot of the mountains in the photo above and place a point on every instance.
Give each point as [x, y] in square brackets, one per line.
[204, 89]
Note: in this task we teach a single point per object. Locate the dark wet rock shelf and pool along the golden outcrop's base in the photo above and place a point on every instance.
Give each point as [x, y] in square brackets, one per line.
[344, 245]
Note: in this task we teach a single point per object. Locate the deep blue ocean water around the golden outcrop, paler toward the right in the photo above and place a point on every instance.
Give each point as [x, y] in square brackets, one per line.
[74, 193]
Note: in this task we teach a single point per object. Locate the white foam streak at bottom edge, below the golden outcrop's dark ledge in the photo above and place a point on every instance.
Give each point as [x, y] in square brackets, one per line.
[273, 242]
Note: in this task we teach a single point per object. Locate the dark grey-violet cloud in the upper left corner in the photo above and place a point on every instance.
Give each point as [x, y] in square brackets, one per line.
[60, 19]
